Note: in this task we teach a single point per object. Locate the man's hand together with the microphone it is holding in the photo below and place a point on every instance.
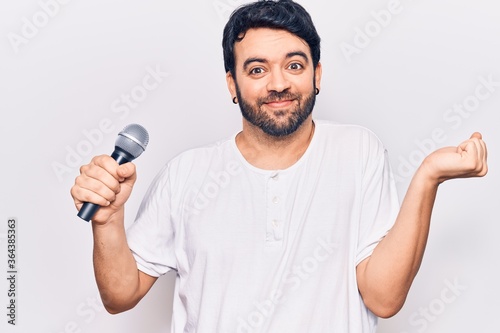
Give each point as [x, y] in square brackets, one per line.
[107, 181]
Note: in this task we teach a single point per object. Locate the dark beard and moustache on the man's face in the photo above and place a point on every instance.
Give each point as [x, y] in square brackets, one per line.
[260, 118]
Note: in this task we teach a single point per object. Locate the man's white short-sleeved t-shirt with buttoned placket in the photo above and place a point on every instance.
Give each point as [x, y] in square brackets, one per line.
[269, 250]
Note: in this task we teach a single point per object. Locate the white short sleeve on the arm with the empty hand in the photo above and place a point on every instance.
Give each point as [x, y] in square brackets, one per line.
[379, 198]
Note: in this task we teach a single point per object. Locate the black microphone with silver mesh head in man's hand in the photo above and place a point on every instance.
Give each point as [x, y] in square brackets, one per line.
[131, 142]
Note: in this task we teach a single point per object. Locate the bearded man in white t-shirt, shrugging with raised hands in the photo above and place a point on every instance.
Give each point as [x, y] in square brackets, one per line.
[291, 225]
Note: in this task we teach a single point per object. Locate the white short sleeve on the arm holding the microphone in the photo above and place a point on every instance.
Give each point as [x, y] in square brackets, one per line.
[151, 236]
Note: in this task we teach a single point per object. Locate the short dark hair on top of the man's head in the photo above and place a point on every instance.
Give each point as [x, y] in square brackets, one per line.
[275, 14]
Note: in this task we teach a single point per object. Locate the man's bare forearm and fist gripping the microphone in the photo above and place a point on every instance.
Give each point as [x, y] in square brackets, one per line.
[109, 185]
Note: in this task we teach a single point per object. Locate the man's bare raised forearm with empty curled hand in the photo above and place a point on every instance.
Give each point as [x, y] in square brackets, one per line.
[385, 277]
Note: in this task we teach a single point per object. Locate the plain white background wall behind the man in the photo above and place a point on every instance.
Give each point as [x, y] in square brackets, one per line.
[71, 73]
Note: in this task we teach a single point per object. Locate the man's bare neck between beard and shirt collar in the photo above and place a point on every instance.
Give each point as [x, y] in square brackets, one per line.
[272, 153]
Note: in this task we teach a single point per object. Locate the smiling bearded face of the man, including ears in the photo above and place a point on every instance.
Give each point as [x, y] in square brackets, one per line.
[275, 80]
